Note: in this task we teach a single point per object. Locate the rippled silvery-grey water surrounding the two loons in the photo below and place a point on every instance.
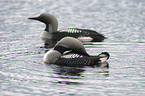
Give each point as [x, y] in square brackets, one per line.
[23, 73]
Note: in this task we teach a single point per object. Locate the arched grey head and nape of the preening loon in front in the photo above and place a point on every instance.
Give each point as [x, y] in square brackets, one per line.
[73, 44]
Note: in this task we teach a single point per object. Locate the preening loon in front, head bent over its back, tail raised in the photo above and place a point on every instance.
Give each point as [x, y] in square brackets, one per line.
[69, 51]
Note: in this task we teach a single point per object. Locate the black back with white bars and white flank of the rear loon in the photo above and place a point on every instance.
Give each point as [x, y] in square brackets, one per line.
[92, 35]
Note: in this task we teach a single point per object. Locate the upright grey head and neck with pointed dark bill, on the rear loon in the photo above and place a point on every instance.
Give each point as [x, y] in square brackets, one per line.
[49, 20]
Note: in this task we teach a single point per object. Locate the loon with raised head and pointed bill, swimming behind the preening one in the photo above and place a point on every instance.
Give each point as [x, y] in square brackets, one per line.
[51, 31]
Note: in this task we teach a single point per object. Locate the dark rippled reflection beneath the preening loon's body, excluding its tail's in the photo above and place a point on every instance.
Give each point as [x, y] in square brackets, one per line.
[67, 75]
